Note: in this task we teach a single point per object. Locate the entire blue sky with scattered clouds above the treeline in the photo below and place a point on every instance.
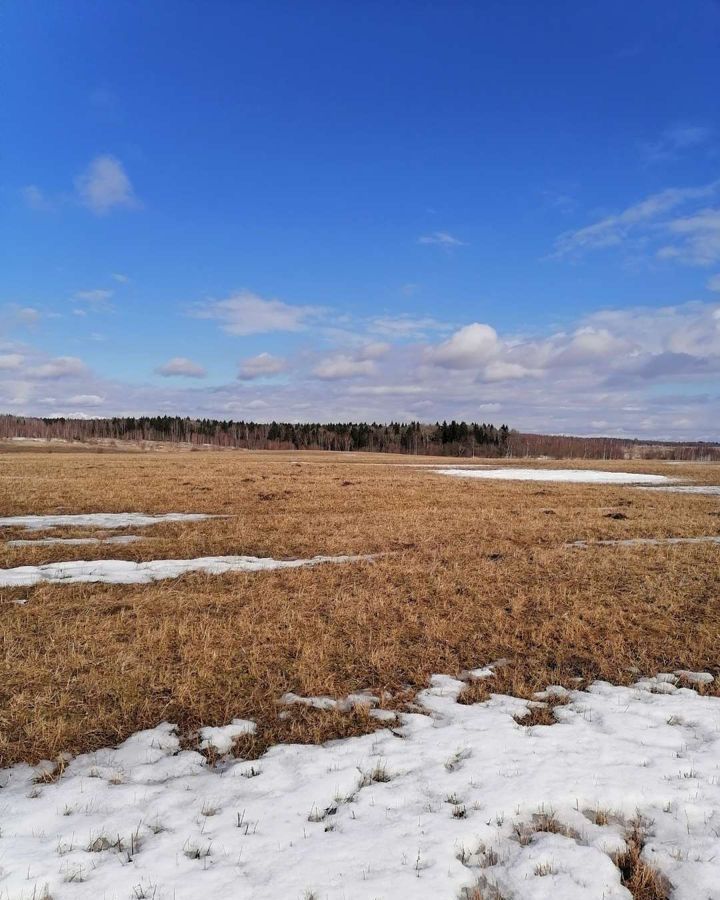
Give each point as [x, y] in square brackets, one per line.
[327, 210]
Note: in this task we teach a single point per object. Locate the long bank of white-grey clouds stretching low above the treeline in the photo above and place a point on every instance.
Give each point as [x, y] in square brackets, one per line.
[645, 372]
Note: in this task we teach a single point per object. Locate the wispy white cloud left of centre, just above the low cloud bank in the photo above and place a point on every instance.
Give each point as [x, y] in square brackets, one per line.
[247, 313]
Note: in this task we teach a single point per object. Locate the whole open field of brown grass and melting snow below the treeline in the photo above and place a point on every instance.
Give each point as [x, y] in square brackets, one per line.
[478, 783]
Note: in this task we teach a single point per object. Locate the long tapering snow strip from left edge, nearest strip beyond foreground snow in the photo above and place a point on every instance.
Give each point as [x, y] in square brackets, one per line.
[120, 571]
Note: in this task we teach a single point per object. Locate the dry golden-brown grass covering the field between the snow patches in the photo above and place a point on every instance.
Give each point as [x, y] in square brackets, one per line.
[477, 571]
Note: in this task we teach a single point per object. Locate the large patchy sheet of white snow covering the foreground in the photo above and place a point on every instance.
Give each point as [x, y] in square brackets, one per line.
[451, 797]
